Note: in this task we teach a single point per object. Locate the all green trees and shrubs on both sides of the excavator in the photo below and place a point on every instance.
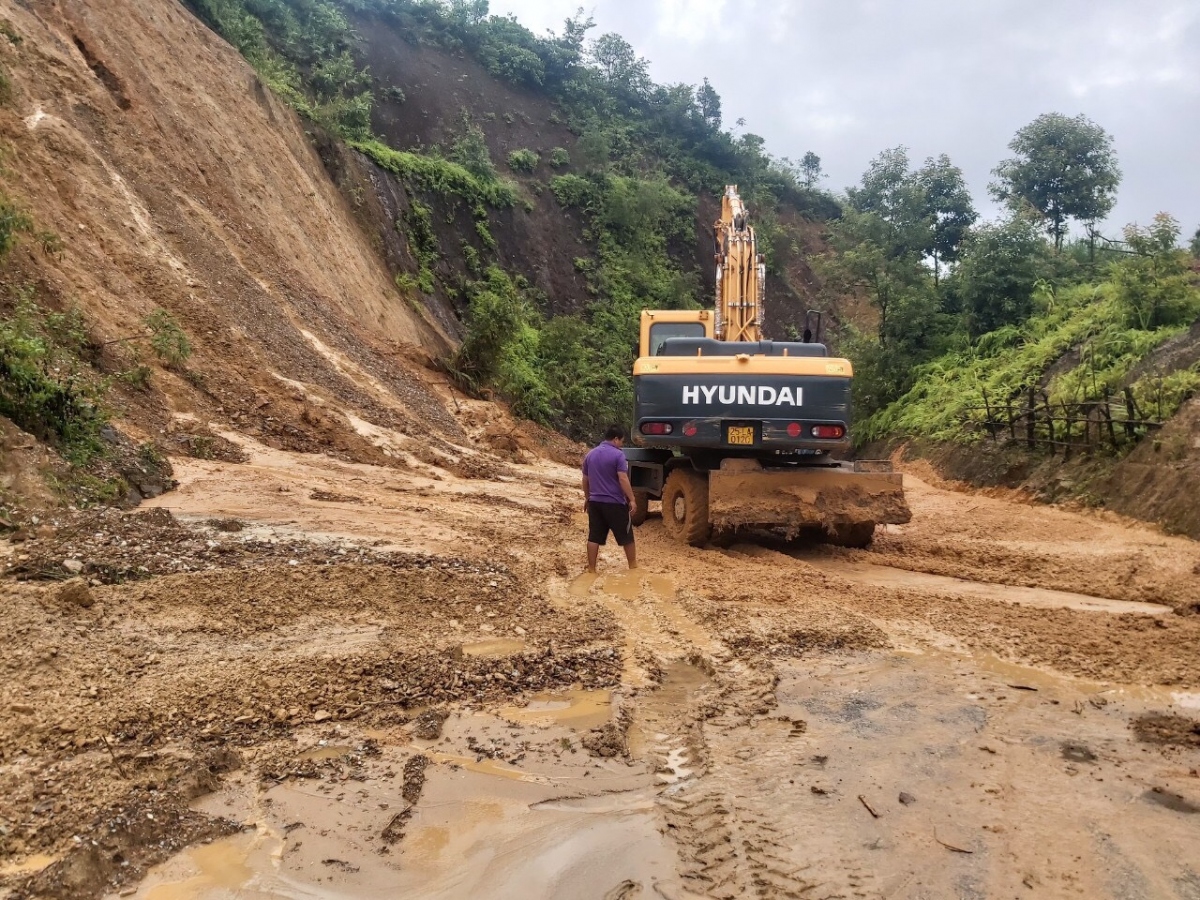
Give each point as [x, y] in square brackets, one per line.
[958, 308]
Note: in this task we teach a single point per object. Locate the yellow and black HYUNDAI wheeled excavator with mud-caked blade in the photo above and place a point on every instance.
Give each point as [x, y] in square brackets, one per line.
[737, 433]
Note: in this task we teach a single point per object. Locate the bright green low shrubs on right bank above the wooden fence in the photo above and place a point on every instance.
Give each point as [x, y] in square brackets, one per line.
[1102, 328]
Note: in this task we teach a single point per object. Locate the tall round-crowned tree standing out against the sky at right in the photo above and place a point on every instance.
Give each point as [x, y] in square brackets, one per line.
[1065, 169]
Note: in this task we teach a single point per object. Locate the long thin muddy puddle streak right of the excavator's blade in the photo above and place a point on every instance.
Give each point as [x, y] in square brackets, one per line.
[889, 578]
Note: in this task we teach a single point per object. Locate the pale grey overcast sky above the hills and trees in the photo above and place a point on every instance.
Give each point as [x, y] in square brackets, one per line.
[849, 79]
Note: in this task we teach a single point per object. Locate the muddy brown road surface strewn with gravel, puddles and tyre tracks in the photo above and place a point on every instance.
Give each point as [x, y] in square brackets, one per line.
[307, 679]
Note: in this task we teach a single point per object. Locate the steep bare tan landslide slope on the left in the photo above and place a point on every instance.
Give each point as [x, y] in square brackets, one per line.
[175, 181]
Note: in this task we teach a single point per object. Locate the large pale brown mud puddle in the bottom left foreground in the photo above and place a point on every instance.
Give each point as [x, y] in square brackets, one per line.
[568, 826]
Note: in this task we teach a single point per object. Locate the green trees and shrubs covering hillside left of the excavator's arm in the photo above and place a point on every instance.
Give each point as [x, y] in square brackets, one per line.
[644, 154]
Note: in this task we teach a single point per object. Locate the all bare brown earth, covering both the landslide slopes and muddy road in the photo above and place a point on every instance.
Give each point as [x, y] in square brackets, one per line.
[353, 656]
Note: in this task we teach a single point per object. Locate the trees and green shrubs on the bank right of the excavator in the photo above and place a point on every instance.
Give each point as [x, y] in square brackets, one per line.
[967, 310]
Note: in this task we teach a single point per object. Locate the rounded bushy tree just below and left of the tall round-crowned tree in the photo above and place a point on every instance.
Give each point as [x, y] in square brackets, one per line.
[998, 275]
